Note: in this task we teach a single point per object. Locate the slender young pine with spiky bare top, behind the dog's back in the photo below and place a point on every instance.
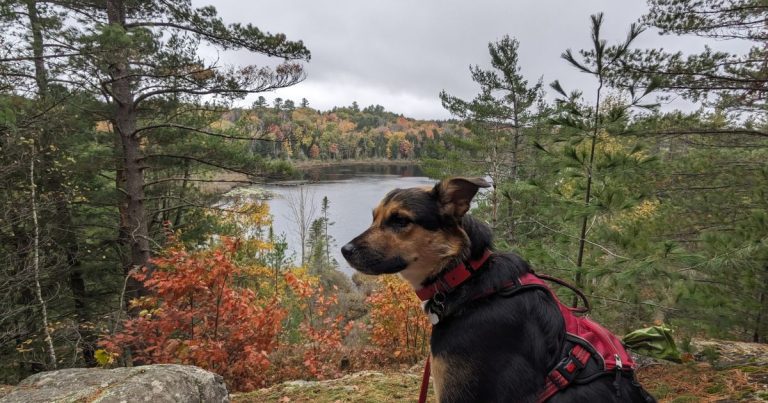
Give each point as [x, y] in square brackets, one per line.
[588, 162]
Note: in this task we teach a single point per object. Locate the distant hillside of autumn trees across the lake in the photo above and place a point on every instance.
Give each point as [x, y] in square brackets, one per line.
[303, 133]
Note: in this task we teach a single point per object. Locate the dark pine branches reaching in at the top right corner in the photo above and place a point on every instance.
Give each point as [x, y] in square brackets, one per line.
[736, 83]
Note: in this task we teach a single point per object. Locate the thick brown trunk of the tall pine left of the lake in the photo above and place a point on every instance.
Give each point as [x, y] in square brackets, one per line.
[134, 231]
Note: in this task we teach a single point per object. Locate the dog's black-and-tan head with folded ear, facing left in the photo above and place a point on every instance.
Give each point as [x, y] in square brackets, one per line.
[416, 232]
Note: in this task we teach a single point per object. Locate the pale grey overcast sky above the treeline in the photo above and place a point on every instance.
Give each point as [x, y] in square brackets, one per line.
[402, 53]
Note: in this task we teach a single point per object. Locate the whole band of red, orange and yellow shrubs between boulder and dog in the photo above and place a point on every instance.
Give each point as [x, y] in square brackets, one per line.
[219, 308]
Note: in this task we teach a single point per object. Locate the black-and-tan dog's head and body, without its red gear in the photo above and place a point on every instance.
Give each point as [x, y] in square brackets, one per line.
[485, 346]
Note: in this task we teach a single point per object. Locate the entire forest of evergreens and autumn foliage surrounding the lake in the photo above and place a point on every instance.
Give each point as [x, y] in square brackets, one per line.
[114, 250]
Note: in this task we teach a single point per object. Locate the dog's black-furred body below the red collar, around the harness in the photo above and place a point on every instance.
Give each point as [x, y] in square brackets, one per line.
[501, 348]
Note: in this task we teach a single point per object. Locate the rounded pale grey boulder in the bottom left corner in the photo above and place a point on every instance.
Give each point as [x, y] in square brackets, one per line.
[150, 383]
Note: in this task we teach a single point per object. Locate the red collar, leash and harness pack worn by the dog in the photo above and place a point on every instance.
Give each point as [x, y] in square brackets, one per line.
[590, 350]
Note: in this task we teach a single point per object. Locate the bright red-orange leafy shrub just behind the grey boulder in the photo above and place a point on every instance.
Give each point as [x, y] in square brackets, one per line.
[198, 316]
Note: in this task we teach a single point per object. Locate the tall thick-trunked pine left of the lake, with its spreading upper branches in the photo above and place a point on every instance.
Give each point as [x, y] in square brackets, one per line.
[136, 66]
